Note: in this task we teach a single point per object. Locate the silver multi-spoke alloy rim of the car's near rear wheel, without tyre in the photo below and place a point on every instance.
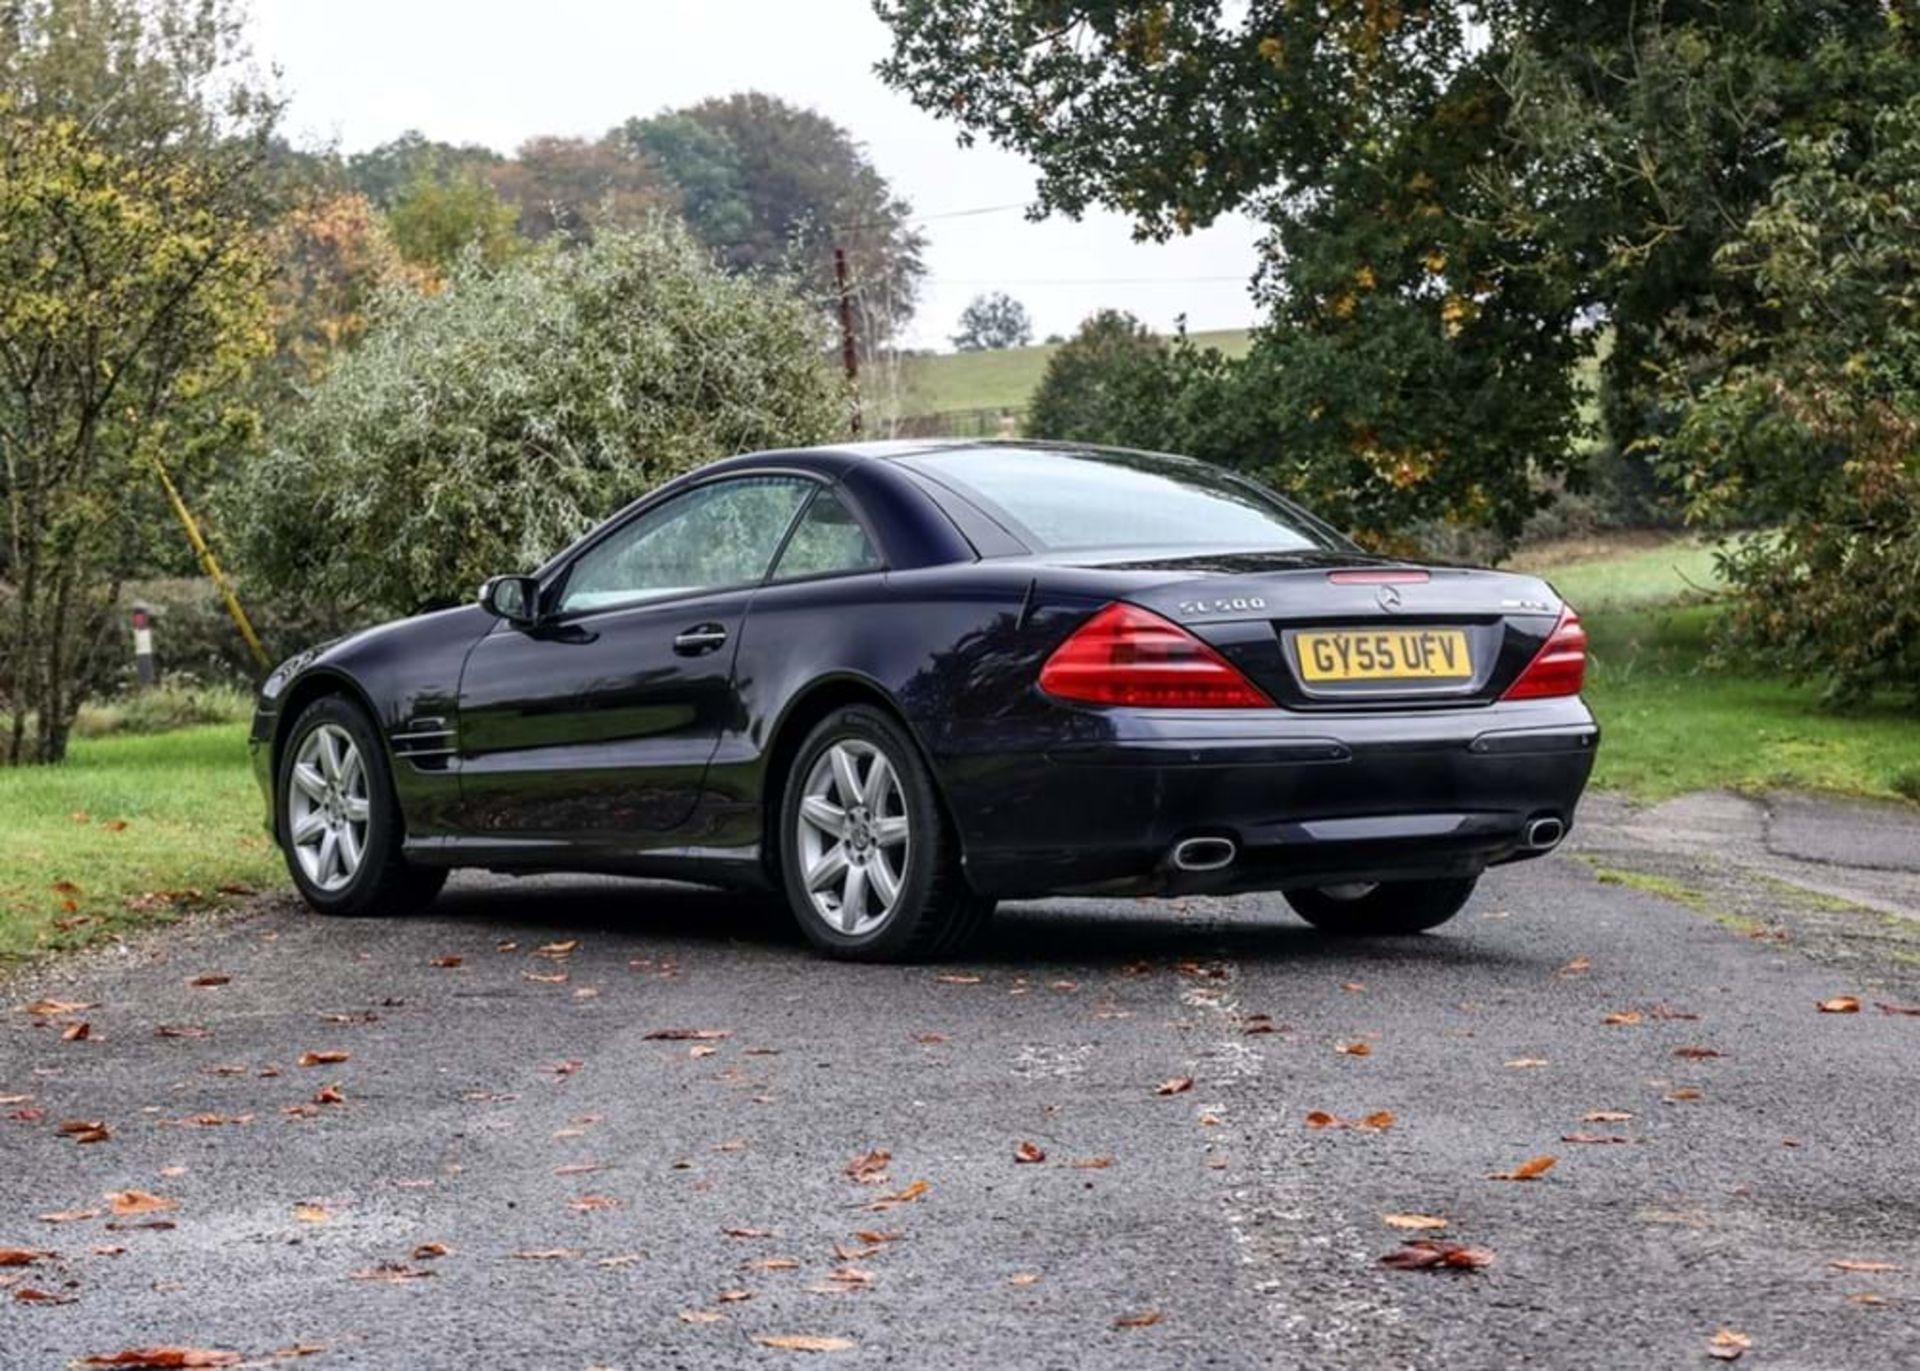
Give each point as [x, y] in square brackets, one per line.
[853, 836]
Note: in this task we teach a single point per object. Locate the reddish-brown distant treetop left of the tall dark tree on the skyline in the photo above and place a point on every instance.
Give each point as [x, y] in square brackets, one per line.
[569, 187]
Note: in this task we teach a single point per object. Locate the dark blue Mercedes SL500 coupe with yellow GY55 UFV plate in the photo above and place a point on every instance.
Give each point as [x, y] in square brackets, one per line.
[900, 683]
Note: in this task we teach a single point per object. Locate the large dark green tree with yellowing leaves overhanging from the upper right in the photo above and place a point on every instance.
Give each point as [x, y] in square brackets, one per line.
[1456, 195]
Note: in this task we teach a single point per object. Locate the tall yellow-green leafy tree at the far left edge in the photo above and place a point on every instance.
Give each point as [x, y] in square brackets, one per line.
[132, 308]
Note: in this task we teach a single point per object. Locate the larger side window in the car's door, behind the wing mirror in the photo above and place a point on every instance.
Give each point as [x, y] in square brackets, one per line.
[721, 535]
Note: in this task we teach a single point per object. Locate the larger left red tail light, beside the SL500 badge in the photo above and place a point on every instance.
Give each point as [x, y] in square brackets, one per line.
[1128, 656]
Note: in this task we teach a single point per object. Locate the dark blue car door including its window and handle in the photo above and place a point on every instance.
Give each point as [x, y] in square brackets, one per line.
[594, 727]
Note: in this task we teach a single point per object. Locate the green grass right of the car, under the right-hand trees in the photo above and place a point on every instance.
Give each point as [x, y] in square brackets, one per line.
[1677, 725]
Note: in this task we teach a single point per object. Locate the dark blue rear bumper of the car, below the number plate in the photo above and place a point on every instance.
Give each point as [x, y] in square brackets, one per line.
[1308, 800]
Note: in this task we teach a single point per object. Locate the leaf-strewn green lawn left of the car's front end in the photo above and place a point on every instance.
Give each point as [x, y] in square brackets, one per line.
[130, 830]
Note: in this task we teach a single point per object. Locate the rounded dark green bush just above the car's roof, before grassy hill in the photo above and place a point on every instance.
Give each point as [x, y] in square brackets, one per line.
[1103, 385]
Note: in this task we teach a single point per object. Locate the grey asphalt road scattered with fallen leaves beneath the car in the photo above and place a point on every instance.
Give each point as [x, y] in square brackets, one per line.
[1218, 1222]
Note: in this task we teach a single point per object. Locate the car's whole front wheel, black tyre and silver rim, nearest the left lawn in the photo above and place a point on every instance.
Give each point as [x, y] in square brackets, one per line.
[339, 823]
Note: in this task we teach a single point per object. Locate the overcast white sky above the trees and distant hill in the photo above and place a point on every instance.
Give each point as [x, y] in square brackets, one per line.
[498, 72]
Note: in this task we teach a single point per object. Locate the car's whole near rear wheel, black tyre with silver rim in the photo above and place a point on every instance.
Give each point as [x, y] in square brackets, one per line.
[867, 857]
